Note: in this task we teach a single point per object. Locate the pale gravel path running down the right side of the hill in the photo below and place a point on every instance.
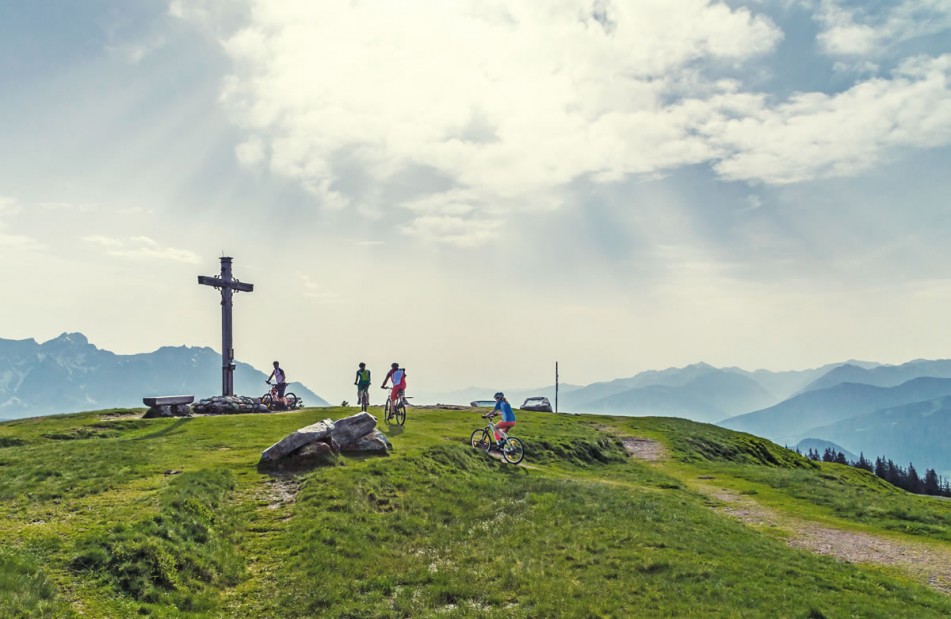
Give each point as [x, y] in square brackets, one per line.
[927, 563]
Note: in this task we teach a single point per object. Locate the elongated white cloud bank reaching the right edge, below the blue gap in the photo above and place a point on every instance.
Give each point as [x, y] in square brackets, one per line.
[814, 135]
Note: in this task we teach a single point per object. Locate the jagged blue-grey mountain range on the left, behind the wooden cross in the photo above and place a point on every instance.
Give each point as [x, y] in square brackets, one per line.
[68, 374]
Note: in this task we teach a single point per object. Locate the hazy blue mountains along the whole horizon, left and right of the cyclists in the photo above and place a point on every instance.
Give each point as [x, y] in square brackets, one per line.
[902, 412]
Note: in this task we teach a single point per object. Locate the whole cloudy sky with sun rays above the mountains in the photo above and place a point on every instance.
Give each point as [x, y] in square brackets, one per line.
[479, 189]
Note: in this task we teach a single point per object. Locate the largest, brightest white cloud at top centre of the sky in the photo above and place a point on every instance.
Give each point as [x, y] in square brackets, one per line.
[507, 101]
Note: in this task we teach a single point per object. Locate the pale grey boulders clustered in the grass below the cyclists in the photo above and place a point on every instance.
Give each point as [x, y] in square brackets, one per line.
[319, 443]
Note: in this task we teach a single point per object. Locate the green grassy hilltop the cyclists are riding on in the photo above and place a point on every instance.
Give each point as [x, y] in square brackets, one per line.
[106, 515]
